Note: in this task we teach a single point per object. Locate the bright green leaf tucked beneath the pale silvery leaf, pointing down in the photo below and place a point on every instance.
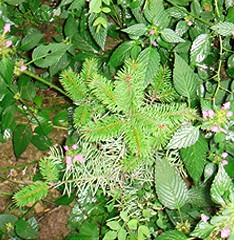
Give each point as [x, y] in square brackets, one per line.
[194, 158]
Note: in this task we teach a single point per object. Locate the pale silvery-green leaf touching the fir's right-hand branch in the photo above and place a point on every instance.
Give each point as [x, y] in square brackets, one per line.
[184, 137]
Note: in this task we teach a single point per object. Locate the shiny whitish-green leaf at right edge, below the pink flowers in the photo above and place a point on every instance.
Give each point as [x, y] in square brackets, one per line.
[221, 185]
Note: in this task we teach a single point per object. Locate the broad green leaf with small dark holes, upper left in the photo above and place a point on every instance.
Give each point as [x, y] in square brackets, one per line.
[46, 56]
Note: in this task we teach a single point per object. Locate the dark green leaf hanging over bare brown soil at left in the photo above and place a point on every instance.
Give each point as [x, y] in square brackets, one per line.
[21, 139]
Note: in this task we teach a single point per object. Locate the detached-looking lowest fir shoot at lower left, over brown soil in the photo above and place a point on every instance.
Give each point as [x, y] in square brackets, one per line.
[31, 194]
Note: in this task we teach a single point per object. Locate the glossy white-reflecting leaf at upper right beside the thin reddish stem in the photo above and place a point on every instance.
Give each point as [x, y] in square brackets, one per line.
[200, 48]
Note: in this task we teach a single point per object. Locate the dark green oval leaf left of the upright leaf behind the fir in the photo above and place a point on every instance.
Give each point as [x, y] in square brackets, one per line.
[122, 52]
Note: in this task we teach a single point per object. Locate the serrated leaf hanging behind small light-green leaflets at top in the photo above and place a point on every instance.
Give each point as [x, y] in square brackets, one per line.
[99, 32]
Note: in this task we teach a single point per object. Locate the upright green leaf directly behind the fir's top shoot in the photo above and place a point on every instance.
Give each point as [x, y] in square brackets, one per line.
[150, 59]
